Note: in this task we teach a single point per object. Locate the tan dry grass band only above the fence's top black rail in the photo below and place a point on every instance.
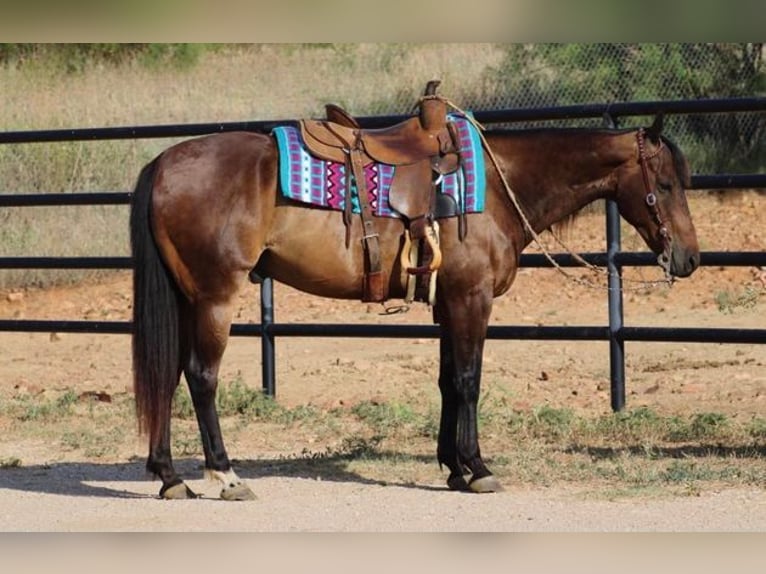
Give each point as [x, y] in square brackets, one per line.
[268, 81]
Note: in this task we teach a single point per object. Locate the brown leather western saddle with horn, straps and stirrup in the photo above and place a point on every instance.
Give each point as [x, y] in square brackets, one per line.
[421, 148]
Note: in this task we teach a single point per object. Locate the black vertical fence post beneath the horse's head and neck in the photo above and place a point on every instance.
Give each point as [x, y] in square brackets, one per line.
[616, 343]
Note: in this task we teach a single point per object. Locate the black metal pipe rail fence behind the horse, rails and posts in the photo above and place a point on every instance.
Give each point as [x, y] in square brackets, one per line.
[615, 332]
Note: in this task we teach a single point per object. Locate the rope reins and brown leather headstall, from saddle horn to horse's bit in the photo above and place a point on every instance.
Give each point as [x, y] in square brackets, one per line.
[651, 201]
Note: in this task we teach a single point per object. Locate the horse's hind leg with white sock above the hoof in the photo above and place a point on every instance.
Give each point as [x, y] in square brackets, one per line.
[210, 324]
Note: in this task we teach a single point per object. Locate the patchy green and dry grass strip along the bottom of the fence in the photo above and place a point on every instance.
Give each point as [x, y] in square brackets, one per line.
[636, 452]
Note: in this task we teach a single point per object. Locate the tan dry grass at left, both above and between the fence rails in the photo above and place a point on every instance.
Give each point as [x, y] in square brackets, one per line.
[235, 84]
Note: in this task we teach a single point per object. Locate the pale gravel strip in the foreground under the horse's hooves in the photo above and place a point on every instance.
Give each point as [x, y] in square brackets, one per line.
[99, 498]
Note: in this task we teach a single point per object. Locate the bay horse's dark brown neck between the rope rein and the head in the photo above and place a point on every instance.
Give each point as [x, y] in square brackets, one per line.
[554, 173]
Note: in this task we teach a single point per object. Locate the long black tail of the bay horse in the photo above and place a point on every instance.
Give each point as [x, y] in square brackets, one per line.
[156, 350]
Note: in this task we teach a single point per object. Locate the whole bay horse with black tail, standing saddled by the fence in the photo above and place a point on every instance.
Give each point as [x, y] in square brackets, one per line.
[207, 213]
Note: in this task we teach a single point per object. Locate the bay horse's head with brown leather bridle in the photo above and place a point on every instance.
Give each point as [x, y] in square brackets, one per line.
[651, 196]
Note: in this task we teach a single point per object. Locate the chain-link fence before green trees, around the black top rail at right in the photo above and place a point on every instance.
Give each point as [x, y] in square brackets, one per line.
[542, 75]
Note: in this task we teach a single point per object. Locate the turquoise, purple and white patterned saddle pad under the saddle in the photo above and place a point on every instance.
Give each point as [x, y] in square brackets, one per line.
[307, 179]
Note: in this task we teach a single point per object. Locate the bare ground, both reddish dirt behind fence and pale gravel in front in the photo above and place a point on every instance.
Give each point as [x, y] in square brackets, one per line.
[668, 377]
